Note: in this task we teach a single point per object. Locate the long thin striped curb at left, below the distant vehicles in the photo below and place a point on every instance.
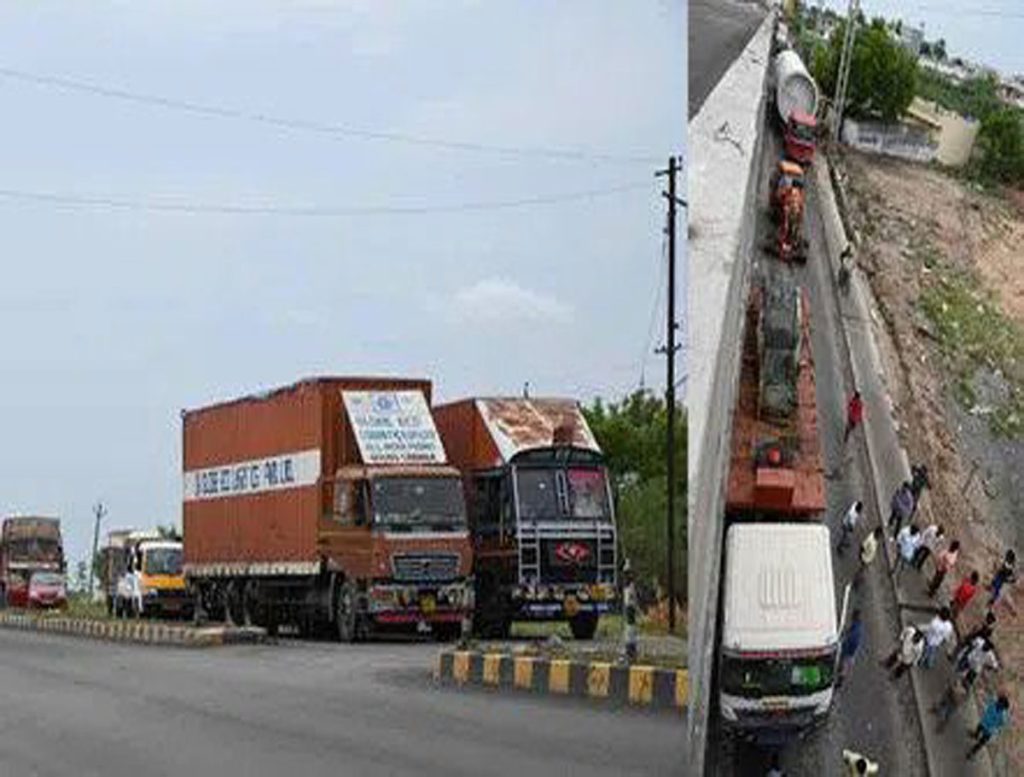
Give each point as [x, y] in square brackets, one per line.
[140, 632]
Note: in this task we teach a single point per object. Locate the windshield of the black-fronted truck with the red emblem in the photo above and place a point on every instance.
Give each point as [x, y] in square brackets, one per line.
[551, 494]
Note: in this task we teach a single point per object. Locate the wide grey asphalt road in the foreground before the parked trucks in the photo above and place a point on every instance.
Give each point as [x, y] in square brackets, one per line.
[87, 708]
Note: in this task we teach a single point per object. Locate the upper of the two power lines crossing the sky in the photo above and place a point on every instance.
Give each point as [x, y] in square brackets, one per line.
[304, 125]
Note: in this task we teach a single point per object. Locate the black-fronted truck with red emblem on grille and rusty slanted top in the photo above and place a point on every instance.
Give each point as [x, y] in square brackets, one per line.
[541, 511]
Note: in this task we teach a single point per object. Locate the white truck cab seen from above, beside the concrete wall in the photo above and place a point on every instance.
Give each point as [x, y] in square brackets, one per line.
[780, 643]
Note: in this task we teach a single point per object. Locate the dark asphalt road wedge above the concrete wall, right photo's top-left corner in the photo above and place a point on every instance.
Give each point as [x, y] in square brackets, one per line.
[719, 30]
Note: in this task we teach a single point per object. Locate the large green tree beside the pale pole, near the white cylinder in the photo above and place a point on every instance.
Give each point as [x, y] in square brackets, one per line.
[883, 75]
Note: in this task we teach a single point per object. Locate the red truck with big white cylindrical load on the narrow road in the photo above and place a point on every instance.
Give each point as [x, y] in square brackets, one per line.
[796, 104]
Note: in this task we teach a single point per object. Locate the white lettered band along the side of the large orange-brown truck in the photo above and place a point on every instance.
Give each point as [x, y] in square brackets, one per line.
[257, 477]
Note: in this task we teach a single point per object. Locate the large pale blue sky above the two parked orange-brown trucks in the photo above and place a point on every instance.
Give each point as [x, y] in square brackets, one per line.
[117, 319]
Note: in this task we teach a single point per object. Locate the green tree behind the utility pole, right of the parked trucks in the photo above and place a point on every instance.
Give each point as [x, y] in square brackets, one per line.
[632, 435]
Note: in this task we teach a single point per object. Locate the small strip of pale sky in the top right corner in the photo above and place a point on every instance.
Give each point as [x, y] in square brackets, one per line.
[989, 32]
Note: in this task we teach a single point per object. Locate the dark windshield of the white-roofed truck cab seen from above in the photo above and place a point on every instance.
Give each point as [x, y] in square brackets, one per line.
[755, 678]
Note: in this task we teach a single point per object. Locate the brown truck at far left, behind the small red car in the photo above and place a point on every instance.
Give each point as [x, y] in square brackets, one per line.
[28, 545]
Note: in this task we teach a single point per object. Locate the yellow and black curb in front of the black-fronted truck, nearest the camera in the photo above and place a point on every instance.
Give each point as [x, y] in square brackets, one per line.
[636, 685]
